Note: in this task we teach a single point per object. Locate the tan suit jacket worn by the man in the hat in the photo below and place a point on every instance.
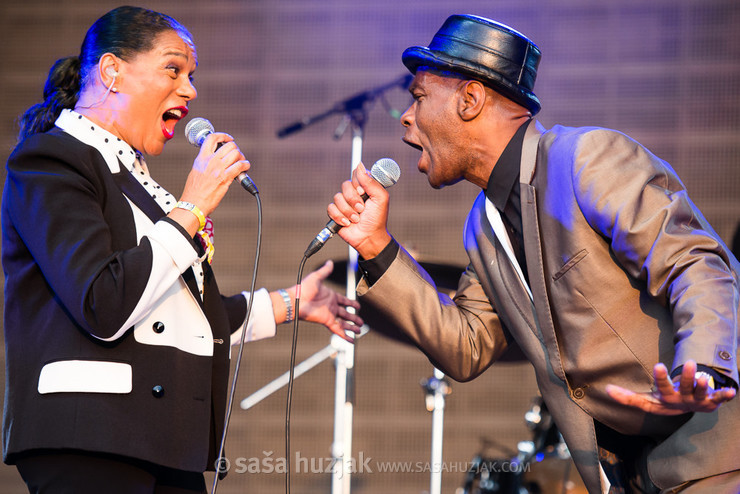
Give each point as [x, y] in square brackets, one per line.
[625, 272]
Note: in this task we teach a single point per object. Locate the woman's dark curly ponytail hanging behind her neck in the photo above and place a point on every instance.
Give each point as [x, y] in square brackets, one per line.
[61, 91]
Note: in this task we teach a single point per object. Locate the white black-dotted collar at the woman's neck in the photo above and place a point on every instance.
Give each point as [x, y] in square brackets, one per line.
[111, 147]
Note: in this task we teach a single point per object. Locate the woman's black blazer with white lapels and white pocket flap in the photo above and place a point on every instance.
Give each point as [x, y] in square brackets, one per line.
[108, 348]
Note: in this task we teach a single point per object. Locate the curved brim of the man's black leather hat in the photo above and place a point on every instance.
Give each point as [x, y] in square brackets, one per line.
[420, 56]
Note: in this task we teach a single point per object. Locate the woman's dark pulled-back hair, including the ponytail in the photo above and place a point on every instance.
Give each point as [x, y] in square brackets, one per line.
[125, 32]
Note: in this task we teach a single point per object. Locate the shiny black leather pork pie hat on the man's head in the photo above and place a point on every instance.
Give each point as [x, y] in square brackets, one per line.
[485, 50]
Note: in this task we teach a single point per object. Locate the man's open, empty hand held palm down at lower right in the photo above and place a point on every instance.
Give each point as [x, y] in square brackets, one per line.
[674, 398]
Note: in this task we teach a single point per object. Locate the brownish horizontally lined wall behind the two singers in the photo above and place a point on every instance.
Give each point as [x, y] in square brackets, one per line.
[665, 72]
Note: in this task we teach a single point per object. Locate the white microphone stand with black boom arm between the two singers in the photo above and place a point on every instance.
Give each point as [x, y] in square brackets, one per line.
[355, 111]
